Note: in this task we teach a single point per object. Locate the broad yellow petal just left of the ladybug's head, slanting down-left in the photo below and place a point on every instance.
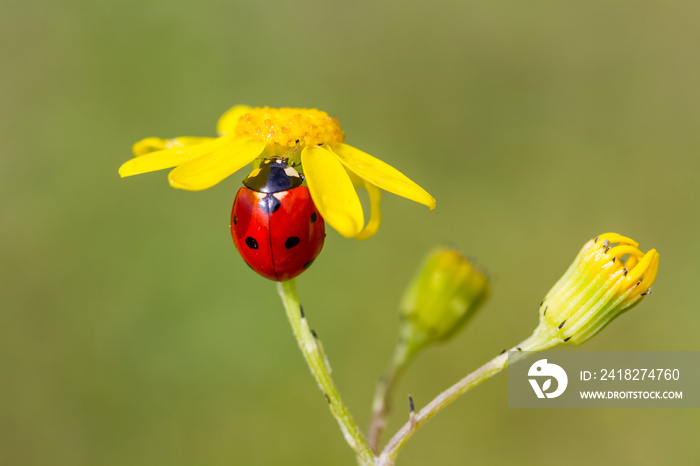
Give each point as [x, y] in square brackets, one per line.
[208, 170]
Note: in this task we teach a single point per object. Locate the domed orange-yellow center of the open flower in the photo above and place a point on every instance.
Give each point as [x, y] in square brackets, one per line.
[290, 126]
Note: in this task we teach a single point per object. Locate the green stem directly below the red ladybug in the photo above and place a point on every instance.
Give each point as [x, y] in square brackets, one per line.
[315, 358]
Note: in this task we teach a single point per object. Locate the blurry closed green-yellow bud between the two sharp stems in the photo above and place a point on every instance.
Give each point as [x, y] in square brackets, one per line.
[446, 292]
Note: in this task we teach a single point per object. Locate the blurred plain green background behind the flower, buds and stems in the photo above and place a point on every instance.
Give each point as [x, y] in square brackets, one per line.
[132, 334]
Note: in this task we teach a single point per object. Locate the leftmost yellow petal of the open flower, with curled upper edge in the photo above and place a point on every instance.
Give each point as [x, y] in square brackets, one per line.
[166, 158]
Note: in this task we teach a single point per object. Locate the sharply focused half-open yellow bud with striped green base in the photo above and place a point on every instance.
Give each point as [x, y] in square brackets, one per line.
[608, 277]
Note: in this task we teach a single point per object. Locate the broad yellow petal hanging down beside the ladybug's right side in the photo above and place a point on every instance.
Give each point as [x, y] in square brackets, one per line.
[332, 191]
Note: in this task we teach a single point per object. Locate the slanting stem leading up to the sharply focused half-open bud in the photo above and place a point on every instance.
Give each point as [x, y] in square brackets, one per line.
[537, 342]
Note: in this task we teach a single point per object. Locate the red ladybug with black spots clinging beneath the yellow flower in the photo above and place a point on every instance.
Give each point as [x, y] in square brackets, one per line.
[275, 224]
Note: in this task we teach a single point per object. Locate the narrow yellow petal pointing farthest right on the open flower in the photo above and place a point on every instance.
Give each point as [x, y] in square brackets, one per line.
[381, 174]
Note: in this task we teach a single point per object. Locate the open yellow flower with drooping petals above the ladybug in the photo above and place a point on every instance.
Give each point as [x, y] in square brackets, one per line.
[309, 136]
